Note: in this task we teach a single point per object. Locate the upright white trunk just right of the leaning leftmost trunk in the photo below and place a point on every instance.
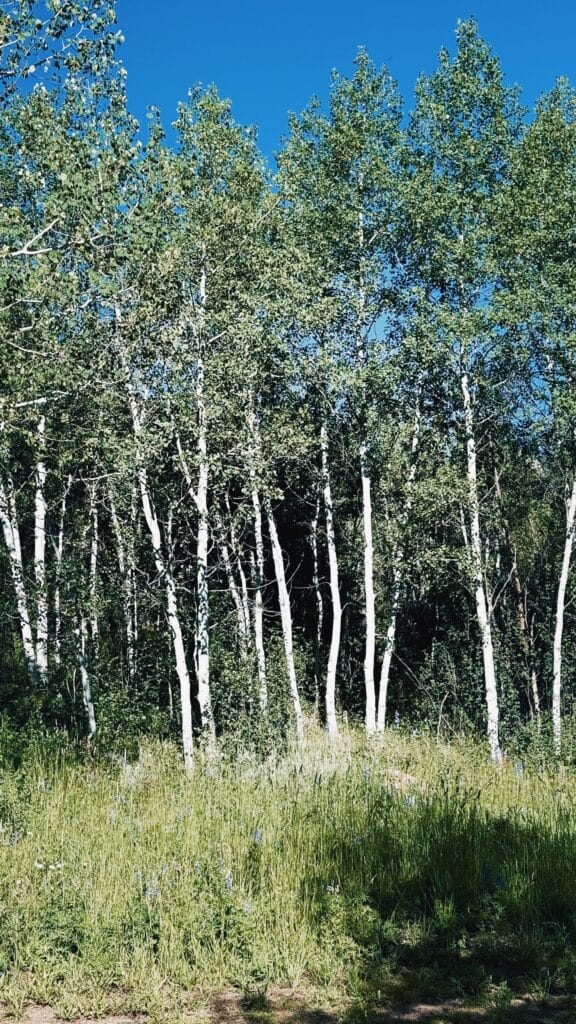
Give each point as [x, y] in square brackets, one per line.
[40, 558]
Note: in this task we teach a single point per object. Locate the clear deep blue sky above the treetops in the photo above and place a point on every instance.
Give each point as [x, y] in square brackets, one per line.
[271, 58]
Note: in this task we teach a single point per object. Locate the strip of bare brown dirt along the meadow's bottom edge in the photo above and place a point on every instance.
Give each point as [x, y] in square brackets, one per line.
[290, 1007]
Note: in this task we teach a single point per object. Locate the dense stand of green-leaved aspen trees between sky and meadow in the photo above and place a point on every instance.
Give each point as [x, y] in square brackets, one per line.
[174, 311]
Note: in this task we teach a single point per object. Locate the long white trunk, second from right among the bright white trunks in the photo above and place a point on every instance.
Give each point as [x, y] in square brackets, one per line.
[482, 602]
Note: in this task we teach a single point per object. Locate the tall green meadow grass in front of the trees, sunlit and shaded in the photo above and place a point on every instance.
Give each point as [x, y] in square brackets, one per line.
[326, 870]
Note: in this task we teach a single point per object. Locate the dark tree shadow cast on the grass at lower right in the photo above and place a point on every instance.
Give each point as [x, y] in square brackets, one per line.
[445, 901]
